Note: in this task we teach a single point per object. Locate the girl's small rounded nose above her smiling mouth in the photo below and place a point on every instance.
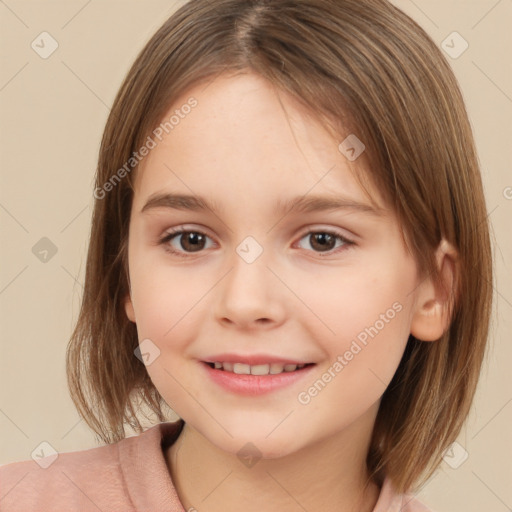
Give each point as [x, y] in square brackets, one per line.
[250, 295]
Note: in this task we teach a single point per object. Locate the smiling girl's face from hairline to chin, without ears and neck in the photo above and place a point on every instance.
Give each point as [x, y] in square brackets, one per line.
[253, 284]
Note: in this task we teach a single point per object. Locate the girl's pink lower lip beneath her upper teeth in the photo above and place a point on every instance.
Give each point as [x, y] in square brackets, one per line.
[255, 385]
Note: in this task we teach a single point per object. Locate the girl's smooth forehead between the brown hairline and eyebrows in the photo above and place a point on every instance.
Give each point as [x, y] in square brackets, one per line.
[243, 135]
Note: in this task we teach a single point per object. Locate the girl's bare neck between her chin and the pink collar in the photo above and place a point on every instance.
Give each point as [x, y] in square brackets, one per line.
[330, 475]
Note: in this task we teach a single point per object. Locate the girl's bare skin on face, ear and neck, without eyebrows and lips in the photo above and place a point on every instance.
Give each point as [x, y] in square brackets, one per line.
[240, 149]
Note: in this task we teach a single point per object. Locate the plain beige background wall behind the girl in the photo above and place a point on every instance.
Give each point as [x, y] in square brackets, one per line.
[53, 114]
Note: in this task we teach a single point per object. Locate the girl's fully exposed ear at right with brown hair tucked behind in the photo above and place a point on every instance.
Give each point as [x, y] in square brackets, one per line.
[433, 307]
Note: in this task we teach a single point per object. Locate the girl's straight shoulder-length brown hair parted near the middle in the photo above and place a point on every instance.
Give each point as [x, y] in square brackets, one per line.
[362, 66]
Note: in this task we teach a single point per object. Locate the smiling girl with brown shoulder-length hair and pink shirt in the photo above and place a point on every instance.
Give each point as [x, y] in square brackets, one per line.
[290, 249]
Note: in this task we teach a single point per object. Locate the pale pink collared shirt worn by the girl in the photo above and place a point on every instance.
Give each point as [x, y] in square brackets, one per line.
[130, 475]
